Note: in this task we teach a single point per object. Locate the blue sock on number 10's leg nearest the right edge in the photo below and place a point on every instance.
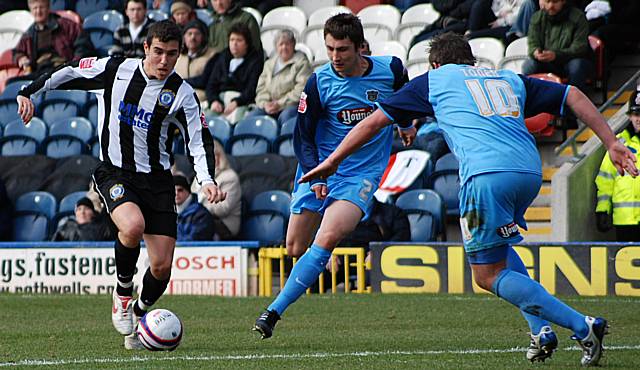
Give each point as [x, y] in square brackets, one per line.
[531, 297]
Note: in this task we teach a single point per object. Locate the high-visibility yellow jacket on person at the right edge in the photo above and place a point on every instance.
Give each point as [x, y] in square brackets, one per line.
[620, 194]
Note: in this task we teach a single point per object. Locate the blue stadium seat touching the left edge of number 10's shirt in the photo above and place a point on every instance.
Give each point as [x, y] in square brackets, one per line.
[445, 181]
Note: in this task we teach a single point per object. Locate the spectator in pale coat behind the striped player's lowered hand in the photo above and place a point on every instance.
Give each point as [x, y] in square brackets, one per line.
[227, 214]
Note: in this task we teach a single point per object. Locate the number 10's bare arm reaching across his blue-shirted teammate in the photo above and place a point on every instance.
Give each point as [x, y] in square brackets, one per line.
[357, 137]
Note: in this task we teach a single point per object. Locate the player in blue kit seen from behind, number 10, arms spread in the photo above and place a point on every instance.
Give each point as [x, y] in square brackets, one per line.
[481, 112]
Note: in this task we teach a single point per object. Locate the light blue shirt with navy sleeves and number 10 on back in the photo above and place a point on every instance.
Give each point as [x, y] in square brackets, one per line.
[481, 112]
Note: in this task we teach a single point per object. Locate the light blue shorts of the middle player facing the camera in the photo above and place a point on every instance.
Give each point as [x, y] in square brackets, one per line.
[355, 189]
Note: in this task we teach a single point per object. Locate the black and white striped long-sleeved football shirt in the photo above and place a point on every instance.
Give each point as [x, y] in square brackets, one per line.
[137, 115]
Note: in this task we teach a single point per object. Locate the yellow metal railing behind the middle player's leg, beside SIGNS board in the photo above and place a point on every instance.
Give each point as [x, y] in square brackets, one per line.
[267, 256]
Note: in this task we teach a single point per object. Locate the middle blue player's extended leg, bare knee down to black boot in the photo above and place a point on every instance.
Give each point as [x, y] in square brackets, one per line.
[339, 219]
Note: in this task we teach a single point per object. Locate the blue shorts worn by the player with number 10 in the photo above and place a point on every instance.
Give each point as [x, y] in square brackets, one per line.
[492, 206]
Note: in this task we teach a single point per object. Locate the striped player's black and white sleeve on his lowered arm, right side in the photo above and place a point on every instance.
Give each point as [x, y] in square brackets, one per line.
[197, 138]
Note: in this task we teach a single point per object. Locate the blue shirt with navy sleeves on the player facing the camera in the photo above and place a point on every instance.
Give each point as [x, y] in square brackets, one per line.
[331, 105]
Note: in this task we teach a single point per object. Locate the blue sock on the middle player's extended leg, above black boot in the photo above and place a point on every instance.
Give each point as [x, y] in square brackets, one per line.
[302, 276]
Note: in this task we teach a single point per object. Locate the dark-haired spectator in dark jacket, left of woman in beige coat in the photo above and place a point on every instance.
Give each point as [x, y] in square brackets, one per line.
[235, 72]
